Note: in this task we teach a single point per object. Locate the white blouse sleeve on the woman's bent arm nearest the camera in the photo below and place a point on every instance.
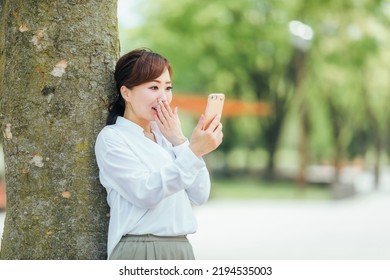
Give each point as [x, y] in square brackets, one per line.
[121, 169]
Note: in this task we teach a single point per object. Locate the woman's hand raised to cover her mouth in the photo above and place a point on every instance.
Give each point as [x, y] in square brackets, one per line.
[169, 123]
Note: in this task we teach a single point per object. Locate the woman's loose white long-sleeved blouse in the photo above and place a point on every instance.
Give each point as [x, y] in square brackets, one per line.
[150, 186]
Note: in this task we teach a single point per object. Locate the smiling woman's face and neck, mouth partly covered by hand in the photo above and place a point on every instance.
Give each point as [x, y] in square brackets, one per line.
[142, 100]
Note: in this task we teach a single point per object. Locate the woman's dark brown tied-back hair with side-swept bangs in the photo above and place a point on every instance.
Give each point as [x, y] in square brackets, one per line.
[132, 69]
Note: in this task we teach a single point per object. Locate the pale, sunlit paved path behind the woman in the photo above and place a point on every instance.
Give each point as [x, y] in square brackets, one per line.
[356, 228]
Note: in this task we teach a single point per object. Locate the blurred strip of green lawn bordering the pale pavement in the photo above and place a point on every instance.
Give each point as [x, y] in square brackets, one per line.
[238, 188]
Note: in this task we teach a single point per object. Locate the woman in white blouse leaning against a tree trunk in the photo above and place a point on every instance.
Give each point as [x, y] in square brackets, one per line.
[151, 172]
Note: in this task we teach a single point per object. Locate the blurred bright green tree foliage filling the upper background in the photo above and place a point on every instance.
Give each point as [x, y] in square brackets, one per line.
[338, 84]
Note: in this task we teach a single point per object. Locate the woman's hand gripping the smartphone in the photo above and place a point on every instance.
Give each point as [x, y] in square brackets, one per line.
[205, 141]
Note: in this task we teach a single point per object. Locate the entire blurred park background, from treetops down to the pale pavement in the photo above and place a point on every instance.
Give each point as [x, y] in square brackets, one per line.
[303, 169]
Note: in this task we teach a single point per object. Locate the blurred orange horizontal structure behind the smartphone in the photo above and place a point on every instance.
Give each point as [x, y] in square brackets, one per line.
[196, 104]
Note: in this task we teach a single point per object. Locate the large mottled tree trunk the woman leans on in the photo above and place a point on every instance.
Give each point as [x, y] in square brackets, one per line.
[57, 60]
